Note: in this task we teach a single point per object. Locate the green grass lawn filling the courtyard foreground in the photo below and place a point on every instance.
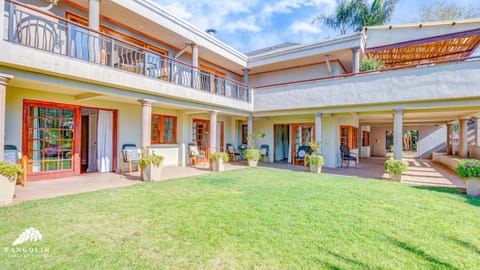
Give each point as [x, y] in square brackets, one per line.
[252, 218]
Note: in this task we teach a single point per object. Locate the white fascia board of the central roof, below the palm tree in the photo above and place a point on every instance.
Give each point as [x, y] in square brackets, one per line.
[356, 40]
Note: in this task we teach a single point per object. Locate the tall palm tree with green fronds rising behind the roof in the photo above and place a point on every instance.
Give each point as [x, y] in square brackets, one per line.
[354, 14]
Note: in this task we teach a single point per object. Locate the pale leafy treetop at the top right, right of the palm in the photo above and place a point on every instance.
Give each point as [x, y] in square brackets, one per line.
[441, 10]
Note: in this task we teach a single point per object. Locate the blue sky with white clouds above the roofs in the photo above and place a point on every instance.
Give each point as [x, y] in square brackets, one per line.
[248, 25]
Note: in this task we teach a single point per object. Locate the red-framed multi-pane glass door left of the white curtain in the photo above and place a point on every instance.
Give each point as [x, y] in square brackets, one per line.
[51, 136]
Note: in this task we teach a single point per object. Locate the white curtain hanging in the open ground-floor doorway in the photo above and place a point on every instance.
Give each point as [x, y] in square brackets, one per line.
[104, 141]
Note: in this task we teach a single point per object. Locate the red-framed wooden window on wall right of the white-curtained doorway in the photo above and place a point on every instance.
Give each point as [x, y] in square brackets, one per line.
[164, 129]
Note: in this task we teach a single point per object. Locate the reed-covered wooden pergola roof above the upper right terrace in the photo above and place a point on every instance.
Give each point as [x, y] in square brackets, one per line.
[444, 47]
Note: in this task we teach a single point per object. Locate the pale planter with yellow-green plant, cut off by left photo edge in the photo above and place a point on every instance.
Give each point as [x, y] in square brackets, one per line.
[8, 178]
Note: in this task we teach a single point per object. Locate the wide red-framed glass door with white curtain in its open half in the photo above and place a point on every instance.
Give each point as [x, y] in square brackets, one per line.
[55, 143]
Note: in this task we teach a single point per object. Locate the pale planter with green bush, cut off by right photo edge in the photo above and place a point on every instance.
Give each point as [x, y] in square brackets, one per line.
[469, 170]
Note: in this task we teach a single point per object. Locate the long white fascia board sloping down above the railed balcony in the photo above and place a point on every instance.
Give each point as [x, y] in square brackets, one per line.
[156, 14]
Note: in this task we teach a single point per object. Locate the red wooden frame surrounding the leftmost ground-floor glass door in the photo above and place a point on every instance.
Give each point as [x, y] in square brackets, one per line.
[76, 143]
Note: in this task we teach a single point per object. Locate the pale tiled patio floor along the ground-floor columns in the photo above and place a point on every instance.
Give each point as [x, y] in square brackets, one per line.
[421, 172]
